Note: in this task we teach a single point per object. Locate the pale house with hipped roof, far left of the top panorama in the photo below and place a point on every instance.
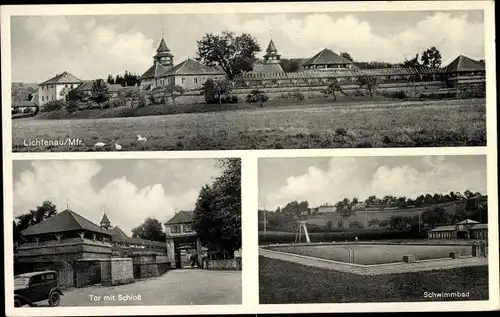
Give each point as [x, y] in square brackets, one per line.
[56, 88]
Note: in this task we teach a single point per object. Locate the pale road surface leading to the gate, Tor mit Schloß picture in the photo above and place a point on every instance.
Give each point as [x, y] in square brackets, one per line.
[176, 287]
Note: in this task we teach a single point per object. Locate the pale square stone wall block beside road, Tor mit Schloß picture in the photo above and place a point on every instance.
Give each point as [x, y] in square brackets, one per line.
[116, 271]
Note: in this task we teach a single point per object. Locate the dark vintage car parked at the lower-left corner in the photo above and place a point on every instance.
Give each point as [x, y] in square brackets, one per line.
[33, 287]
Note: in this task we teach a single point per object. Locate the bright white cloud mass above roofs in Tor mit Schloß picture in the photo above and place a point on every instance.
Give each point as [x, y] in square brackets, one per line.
[127, 205]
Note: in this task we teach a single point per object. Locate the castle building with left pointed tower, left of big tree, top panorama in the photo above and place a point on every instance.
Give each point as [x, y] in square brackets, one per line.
[189, 74]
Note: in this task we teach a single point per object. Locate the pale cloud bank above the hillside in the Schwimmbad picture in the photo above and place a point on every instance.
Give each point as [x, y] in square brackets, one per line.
[362, 177]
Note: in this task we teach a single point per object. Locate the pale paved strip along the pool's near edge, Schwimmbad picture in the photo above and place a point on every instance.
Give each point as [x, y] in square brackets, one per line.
[378, 269]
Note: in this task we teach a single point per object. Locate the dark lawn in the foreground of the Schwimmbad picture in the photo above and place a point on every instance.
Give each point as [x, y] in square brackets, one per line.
[288, 283]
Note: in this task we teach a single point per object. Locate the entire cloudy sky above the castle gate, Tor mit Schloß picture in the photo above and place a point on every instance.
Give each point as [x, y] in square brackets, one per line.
[128, 191]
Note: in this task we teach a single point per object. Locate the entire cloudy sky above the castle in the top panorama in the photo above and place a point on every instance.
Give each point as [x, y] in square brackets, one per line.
[92, 47]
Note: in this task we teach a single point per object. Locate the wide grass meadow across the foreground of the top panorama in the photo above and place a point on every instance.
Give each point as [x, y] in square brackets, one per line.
[396, 124]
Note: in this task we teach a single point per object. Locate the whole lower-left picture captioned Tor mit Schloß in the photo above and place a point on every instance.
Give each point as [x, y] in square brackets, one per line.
[127, 232]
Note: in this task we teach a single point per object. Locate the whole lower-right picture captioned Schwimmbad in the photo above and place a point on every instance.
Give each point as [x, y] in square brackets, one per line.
[373, 229]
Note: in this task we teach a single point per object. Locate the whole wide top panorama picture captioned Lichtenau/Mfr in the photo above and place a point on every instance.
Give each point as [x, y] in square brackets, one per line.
[238, 81]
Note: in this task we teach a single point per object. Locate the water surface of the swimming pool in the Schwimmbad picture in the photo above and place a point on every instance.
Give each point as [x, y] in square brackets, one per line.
[376, 254]
